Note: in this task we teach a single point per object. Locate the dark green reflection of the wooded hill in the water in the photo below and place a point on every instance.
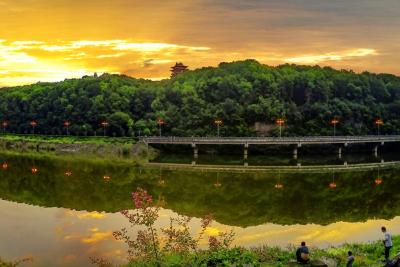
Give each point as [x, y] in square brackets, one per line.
[244, 200]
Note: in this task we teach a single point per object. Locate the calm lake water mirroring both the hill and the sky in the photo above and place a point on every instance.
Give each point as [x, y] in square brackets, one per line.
[66, 211]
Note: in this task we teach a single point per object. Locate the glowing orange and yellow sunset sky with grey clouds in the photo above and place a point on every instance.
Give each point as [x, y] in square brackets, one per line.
[50, 40]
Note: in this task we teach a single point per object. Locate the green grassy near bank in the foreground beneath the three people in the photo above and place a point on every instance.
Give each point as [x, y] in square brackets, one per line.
[366, 254]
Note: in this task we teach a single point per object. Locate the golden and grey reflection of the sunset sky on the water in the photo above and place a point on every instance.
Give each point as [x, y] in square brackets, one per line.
[62, 237]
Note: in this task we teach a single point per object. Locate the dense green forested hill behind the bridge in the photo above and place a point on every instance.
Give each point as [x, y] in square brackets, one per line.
[246, 95]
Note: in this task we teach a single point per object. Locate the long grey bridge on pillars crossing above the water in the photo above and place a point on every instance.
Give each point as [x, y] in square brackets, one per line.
[296, 142]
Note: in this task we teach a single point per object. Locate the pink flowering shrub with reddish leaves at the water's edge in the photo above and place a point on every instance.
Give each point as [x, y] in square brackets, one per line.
[147, 245]
